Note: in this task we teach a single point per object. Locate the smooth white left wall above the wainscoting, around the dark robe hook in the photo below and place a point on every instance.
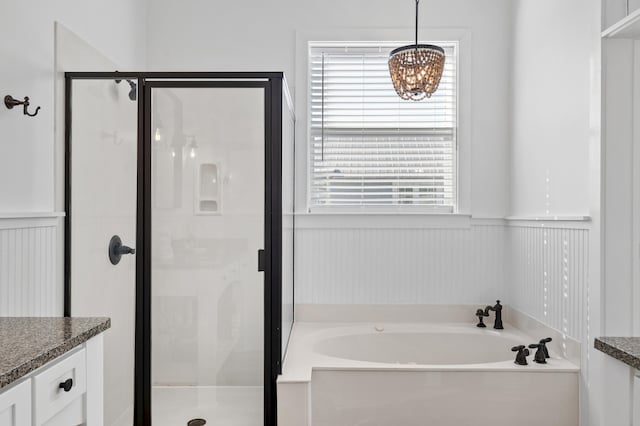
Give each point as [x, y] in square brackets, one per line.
[115, 28]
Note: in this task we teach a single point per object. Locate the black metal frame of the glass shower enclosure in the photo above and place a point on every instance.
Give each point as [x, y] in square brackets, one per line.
[272, 83]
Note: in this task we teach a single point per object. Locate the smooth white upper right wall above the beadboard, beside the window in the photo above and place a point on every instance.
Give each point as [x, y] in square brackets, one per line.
[552, 57]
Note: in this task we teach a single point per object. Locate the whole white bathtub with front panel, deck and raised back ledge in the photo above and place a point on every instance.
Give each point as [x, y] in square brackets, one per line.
[386, 372]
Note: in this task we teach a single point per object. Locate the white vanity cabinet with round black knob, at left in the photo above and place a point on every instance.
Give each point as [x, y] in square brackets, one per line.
[66, 391]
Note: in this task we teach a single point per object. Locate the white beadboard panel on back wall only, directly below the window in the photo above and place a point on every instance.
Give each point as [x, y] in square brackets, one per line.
[398, 266]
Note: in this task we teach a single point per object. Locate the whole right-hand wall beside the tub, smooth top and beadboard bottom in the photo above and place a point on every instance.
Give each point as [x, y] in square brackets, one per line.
[555, 172]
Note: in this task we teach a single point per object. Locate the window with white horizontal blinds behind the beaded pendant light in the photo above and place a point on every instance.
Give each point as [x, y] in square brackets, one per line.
[370, 148]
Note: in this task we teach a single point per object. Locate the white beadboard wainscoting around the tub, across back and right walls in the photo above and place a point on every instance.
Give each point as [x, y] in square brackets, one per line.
[538, 268]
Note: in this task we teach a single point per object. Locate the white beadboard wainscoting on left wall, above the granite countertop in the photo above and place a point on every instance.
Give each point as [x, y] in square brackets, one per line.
[29, 268]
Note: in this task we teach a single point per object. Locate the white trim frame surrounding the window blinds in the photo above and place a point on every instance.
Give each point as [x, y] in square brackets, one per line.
[456, 43]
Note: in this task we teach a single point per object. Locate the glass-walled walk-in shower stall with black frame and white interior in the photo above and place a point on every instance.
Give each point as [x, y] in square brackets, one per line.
[179, 226]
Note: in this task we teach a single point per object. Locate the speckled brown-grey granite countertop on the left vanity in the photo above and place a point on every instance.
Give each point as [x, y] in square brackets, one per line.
[29, 343]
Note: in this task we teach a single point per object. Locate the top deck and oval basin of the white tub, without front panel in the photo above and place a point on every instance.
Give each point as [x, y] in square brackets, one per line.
[408, 347]
